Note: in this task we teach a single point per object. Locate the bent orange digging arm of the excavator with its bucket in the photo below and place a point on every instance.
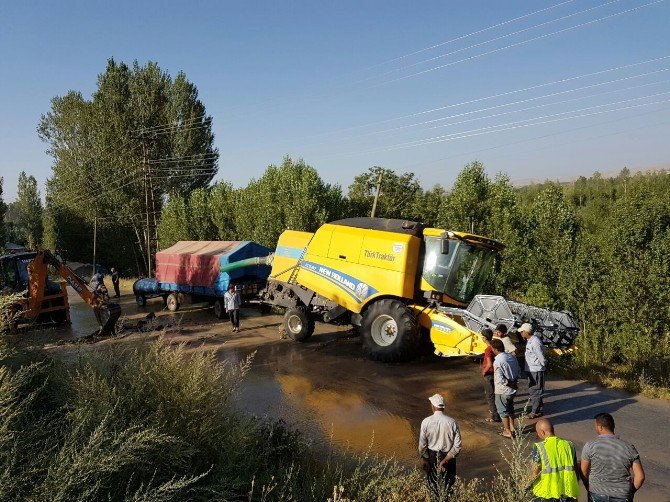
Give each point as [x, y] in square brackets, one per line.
[106, 313]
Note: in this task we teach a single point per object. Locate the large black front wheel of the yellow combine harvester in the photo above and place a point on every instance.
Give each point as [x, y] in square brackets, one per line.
[389, 332]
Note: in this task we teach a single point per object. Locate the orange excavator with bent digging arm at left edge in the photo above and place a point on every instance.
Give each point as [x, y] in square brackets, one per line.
[45, 299]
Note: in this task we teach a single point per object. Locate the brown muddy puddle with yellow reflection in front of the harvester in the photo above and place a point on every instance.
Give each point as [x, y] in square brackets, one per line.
[339, 399]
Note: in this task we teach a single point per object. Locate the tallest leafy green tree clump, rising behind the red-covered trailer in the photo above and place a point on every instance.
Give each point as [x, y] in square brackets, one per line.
[141, 129]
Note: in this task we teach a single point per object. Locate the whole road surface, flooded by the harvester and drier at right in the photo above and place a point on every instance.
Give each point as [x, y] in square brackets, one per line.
[338, 398]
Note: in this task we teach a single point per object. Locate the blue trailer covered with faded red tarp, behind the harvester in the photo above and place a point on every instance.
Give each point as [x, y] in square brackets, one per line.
[201, 271]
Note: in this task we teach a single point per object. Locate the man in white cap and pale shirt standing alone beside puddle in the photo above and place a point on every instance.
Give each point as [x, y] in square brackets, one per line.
[439, 445]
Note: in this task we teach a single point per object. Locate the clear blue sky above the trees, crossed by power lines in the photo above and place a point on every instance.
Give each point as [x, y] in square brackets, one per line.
[327, 81]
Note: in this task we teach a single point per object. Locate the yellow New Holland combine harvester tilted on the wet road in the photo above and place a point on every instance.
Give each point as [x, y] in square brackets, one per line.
[396, 280]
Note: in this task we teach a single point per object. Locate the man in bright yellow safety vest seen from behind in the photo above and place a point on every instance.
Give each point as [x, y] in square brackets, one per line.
[555, 470]
